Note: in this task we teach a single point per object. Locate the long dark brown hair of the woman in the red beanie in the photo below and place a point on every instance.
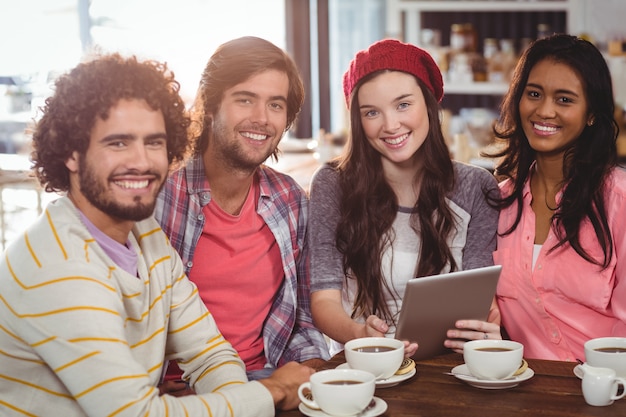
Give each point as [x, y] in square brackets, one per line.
[369, 206]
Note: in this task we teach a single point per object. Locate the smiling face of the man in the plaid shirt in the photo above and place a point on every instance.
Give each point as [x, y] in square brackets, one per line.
[251, 121]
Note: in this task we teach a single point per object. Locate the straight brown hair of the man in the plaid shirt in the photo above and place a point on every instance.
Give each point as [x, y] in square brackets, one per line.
[232, 63]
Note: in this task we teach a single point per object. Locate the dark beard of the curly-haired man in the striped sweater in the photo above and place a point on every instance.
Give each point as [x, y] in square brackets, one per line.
[95, 192]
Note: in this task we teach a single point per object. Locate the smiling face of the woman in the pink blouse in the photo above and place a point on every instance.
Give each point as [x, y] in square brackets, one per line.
[553, 107]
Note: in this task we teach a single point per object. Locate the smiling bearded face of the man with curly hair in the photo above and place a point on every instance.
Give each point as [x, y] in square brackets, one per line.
[120, 175]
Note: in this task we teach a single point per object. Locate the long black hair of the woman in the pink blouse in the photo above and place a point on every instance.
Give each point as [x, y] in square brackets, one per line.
[586, 163]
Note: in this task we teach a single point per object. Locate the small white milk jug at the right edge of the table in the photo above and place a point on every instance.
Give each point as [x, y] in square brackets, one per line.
[600, 385]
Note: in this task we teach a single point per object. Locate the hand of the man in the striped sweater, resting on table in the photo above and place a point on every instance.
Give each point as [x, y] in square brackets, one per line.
[284, 384]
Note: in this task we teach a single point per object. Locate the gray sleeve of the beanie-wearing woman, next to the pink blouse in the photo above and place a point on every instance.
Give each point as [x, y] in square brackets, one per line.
[472, 184]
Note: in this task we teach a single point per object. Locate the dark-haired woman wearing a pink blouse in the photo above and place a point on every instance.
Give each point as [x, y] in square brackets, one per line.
[562, 228]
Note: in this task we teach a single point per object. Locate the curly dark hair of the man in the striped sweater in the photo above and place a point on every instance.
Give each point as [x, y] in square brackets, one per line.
[88, 92]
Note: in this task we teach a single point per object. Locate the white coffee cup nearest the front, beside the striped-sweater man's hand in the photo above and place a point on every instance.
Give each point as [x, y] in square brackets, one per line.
[339, 392]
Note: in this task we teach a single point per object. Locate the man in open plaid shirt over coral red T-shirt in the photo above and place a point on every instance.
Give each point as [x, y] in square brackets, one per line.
[238, 225]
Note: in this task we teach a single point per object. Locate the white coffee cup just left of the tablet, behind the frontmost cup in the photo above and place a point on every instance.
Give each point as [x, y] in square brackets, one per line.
[382, 356]
